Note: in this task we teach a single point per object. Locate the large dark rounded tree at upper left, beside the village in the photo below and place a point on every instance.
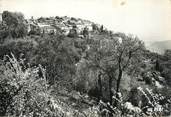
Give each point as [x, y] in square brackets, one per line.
[15, 22]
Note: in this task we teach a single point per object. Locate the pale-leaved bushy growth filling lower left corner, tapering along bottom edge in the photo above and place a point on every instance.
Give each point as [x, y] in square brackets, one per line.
[24, 92]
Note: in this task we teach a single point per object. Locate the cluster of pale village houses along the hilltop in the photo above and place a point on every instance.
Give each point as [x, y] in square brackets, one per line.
[56, 25]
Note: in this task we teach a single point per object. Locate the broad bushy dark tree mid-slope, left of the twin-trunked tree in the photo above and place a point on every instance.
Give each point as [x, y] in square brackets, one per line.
[60, 60]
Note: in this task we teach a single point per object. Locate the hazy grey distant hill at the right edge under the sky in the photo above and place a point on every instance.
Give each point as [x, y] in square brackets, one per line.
[159, 46]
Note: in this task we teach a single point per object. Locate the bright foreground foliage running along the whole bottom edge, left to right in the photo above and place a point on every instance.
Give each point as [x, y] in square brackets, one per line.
[25, 92]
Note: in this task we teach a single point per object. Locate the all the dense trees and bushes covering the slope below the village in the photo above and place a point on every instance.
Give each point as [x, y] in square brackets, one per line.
[94, 73]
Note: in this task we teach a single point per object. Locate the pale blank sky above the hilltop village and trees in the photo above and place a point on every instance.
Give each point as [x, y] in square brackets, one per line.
[150, 20]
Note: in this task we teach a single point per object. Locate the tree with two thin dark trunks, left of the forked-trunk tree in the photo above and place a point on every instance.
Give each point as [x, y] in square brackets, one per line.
[99, 57]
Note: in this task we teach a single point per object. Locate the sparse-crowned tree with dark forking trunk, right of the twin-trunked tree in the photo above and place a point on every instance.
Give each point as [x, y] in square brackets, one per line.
[128, 54]
